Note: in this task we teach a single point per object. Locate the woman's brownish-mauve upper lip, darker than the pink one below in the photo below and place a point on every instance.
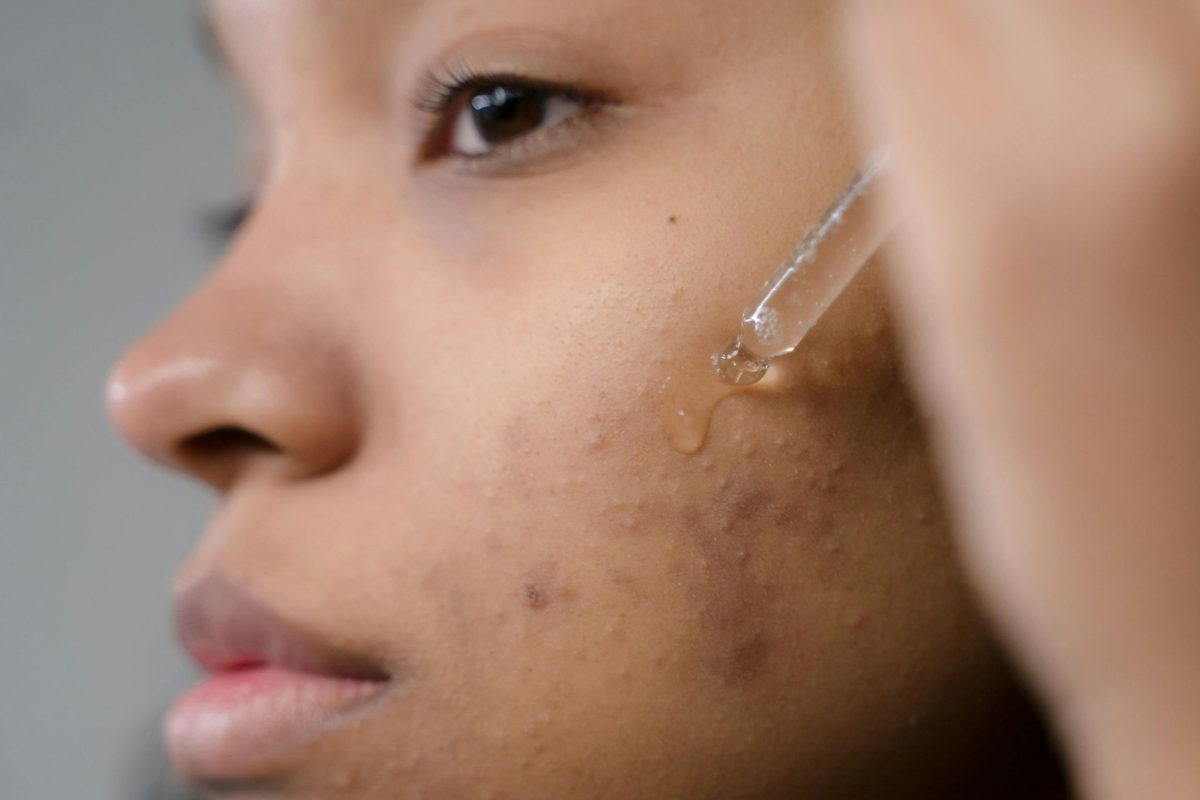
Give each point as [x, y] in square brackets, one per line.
[226, 628]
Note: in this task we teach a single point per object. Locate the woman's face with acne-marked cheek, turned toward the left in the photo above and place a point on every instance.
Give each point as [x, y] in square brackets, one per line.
[425, 383]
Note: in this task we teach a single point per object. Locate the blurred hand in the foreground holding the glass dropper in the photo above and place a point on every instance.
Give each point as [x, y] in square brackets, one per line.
[1048, 161]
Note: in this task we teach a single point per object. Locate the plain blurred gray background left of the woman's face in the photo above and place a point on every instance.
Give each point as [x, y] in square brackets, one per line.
[115, 136]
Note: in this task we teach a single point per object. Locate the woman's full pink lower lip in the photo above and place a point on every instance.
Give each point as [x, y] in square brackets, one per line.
[236, 724]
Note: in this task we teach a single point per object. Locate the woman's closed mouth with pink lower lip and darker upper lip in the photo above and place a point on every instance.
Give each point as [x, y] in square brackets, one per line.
[269, 685]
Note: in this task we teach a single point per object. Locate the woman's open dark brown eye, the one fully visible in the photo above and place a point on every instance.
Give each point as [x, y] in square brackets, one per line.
[503, 123]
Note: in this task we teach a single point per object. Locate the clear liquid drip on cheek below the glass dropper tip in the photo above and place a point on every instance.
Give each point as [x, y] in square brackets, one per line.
[692, 395]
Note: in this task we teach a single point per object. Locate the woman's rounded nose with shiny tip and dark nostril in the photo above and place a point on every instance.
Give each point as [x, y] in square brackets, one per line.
[248, 377]
